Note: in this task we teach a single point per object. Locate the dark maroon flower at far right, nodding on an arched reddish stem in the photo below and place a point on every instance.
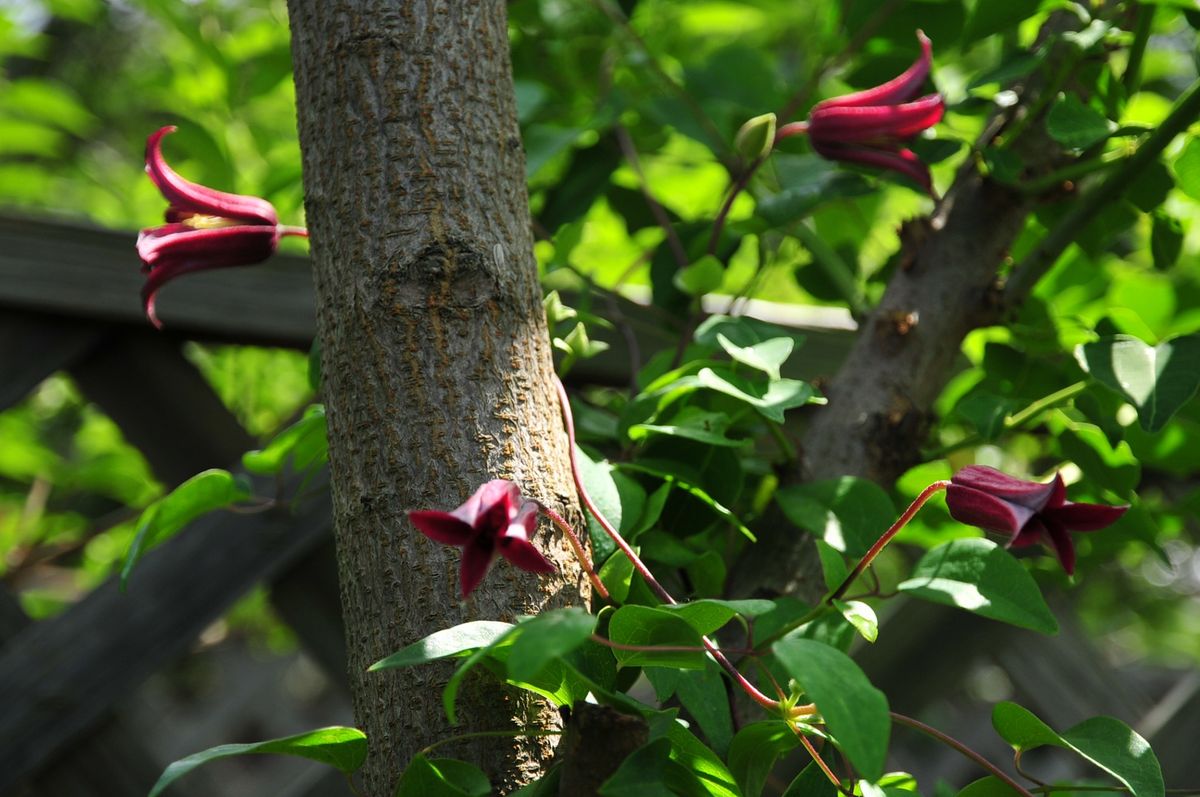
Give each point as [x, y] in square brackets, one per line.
[1029, 512]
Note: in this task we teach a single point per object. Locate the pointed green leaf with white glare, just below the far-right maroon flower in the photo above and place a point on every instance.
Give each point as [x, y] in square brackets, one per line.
[981, 577]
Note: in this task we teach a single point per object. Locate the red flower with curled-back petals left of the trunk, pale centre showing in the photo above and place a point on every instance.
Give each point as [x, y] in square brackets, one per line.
[206, 229]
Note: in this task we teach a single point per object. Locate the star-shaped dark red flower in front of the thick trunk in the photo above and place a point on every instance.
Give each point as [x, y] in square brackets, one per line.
[493, 523]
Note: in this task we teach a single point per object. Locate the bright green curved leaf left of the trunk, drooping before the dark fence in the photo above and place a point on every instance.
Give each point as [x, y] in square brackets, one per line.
[199, 496]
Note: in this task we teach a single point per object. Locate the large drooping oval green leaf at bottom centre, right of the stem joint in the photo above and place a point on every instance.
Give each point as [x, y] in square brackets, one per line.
[856, 714]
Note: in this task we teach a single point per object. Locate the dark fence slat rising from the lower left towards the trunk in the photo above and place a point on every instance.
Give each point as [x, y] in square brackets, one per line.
[61, 676]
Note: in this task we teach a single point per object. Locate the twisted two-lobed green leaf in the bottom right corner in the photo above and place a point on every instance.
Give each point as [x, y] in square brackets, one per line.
[1105, 741]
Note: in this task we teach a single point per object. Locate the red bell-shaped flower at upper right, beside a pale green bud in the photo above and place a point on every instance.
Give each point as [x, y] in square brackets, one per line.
[873, 127]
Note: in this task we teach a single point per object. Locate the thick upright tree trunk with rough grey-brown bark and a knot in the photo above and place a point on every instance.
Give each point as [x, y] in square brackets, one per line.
[436, 358]
